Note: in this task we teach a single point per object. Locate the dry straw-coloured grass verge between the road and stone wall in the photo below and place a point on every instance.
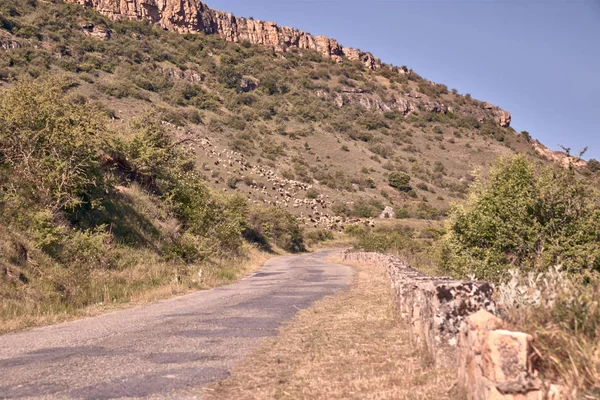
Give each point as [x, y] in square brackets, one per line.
[347, 346]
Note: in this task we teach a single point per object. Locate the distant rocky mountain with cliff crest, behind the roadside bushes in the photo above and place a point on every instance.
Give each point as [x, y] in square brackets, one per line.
[281, 116]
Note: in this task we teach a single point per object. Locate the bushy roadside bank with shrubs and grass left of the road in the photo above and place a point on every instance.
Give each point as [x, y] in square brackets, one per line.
[91, 215]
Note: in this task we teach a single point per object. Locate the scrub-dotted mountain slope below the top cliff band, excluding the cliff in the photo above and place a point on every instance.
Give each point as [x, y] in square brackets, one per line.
[289, 123]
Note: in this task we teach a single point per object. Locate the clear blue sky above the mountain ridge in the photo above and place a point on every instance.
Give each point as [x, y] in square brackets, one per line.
[538, 59]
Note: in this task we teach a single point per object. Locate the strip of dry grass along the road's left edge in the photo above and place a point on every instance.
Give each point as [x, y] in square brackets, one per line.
[139, 285]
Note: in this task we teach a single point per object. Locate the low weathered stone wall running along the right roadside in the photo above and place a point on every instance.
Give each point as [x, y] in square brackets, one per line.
[453, 321]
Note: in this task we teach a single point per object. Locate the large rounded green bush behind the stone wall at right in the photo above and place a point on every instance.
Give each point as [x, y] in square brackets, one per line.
[524, 216]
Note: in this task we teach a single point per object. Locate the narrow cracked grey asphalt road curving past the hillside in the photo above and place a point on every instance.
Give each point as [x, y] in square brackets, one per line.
[169, 349]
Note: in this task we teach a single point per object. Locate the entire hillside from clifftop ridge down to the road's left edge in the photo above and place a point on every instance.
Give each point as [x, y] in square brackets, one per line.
[198, 132]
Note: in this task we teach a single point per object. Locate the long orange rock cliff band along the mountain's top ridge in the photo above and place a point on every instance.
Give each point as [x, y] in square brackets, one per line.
[189, 16]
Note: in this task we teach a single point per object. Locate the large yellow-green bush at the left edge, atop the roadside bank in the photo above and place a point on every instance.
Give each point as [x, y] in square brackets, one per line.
[50, 148]
